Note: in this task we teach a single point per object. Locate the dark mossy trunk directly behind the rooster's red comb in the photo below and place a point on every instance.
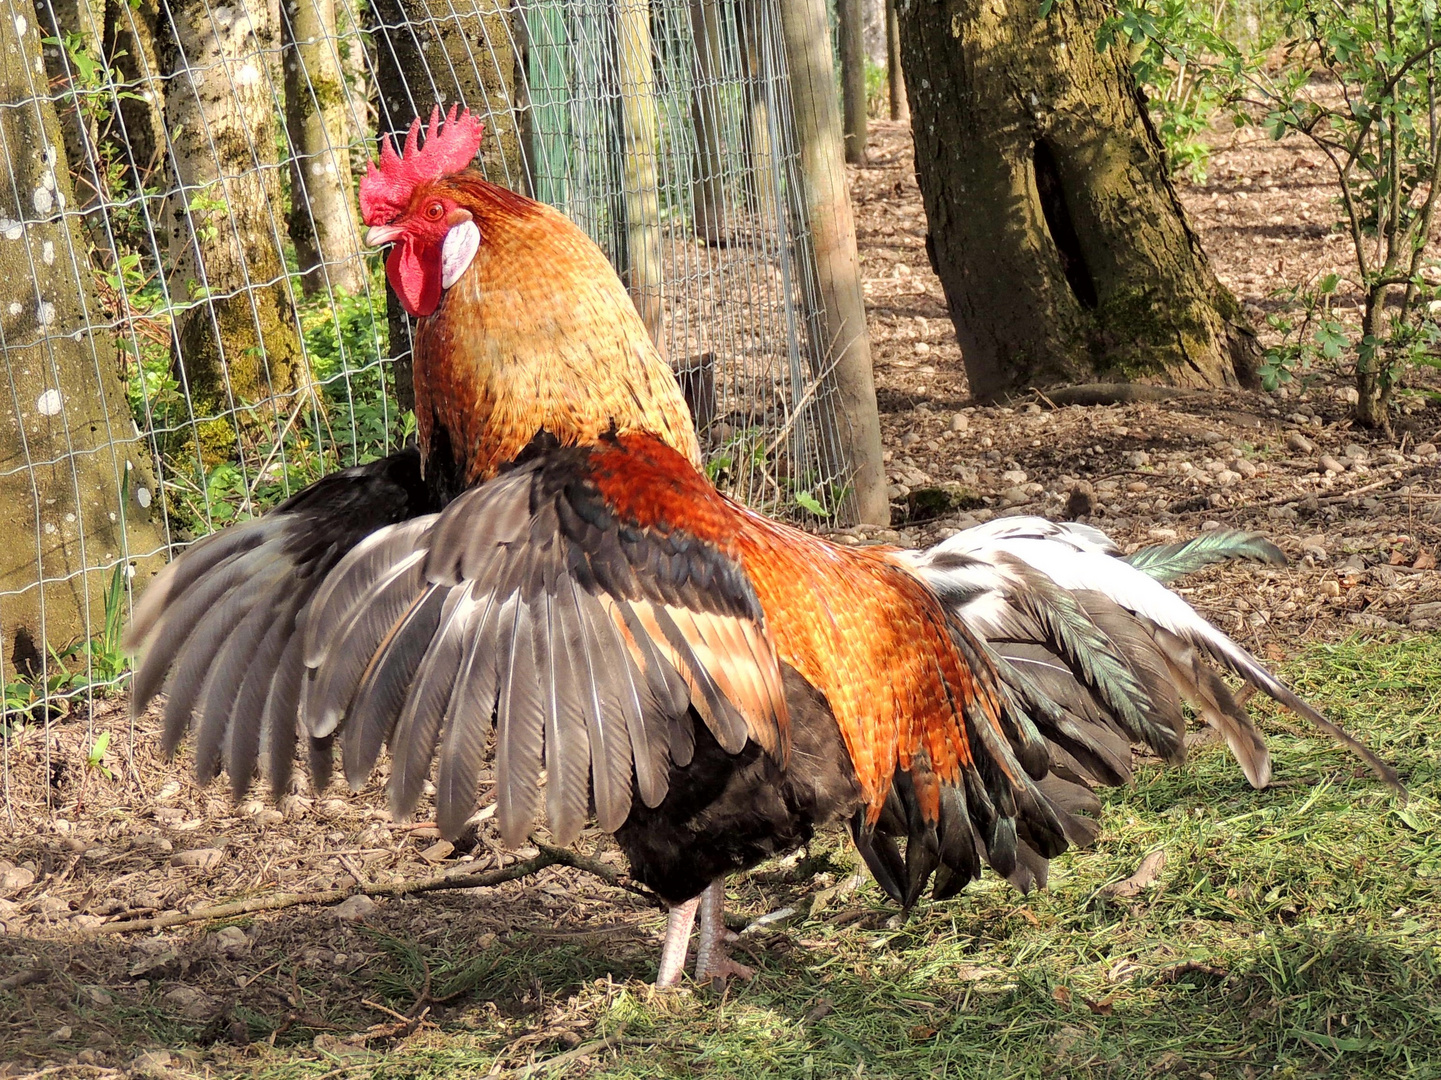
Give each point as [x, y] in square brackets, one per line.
[439, 53]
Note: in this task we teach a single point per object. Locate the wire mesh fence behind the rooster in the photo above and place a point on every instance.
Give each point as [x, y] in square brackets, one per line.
[192, 328]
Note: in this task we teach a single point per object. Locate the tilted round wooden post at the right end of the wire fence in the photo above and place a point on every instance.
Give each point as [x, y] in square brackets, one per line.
[834, 237]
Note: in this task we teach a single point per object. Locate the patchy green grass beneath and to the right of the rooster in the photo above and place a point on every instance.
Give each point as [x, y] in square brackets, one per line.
[1292, 934]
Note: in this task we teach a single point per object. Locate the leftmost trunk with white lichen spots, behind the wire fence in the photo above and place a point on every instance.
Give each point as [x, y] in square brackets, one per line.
[68, 448]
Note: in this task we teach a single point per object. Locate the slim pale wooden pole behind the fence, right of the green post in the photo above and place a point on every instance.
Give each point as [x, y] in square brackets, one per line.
[642, 260]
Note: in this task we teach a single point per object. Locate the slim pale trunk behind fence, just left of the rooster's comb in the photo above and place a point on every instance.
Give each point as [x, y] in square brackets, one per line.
[324, 221]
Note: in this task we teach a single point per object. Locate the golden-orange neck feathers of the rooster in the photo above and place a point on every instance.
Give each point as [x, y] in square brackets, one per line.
[538, 335]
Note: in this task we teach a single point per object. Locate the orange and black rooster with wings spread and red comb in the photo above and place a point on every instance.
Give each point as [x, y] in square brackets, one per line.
[550, 580]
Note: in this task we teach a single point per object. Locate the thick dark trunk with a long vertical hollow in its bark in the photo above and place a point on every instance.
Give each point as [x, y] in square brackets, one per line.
[1063, 249]
